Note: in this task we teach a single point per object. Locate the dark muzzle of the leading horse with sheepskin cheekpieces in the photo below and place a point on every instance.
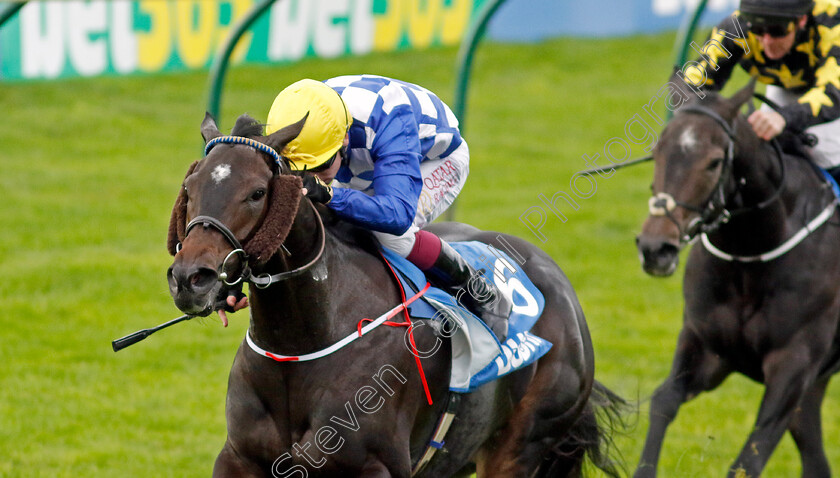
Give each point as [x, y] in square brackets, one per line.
[194, 289]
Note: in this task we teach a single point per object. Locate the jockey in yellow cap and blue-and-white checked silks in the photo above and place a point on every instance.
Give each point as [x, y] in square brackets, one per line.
[386, 155]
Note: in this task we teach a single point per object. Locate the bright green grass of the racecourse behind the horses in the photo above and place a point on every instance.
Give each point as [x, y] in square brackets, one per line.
[88, 173]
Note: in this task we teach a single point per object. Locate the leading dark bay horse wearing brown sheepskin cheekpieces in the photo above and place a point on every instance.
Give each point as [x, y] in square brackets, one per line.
[361, 411]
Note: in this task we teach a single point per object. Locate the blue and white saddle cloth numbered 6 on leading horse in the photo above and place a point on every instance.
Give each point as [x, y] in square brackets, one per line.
[477, 355]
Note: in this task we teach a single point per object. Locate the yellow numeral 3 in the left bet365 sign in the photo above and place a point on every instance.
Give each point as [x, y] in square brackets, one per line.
[154, 46]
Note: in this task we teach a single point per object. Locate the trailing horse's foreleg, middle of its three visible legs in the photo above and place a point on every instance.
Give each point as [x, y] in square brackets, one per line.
[788, 375]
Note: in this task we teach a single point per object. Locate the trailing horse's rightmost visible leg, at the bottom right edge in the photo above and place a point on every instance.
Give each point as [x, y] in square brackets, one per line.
[806, 428]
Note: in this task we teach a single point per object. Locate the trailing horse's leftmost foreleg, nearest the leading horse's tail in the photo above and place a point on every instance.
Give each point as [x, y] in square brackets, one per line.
[694, 370]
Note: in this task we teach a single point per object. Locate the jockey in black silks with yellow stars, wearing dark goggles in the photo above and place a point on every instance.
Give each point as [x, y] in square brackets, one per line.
[793, 46]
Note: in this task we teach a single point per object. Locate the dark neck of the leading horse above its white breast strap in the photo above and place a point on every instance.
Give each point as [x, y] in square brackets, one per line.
[295, 316]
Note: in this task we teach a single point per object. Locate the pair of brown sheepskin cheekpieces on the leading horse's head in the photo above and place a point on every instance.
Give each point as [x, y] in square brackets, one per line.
[283, 200]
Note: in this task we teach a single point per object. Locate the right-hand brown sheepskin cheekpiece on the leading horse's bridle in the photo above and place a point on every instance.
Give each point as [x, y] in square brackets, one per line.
[283, 202]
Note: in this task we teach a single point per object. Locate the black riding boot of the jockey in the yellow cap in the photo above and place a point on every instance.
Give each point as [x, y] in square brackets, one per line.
[471, 289]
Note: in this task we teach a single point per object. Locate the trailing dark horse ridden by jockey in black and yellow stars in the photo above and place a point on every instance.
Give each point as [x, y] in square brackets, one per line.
[761, 290]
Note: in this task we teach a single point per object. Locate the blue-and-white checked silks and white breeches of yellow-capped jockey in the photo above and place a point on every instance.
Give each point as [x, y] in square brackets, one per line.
[405, 129]
